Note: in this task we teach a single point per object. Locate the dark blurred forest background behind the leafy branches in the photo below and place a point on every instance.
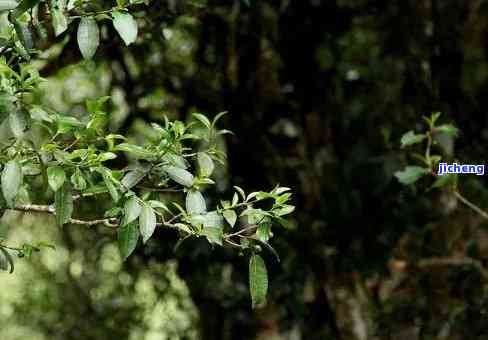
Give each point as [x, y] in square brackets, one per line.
[319, 93]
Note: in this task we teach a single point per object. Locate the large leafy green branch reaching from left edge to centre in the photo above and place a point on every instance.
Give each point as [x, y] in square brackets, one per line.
[68, 158]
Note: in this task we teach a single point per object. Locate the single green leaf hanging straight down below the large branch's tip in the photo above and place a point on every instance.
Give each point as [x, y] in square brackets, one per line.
[258, 281]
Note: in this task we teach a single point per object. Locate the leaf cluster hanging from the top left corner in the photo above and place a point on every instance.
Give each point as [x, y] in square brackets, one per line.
[25, 25]
